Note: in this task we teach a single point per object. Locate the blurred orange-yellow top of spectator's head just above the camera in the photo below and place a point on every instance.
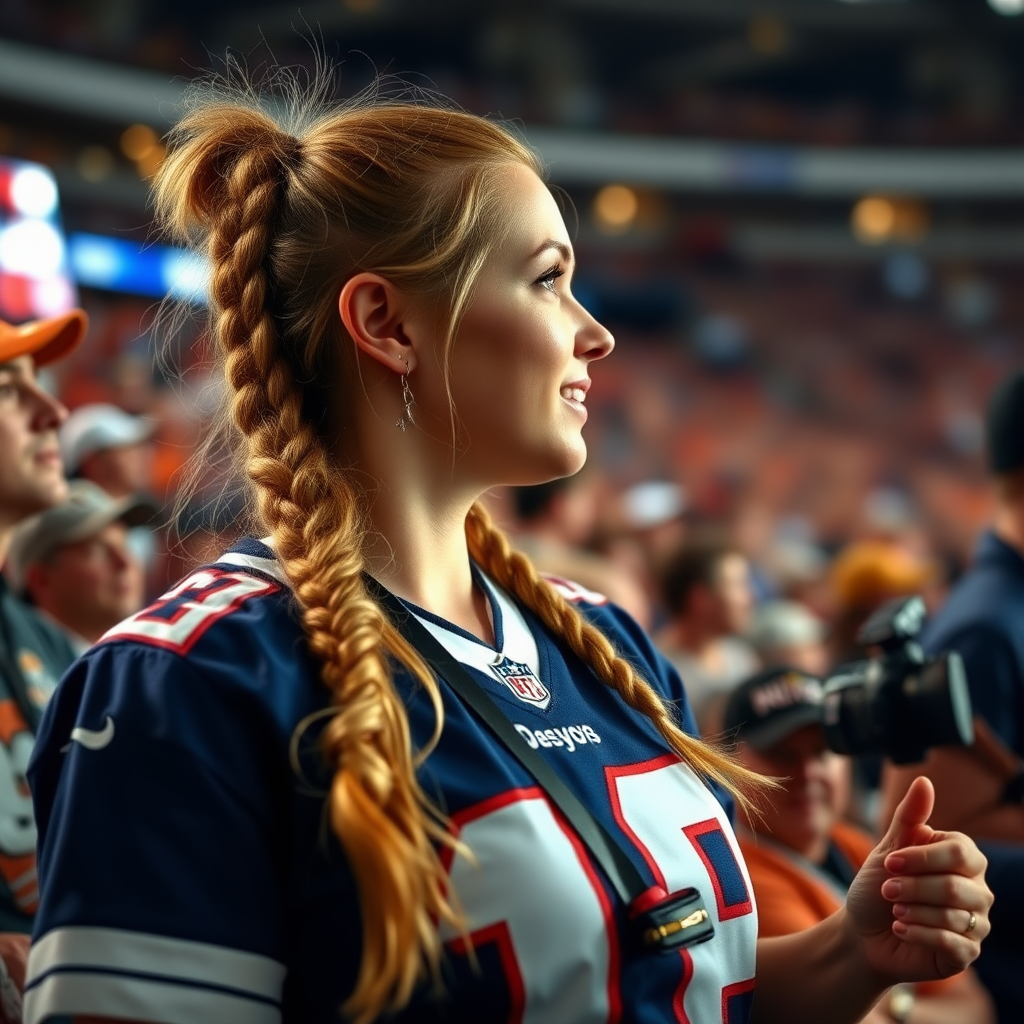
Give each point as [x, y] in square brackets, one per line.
[865, 576]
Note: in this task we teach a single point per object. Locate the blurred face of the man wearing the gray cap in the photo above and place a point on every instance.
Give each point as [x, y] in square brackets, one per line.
[92, 585]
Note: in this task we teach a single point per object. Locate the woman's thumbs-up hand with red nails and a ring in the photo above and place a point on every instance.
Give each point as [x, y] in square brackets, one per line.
[912, 904]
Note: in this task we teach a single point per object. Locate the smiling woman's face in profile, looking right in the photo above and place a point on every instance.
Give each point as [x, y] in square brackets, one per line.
[520, 365]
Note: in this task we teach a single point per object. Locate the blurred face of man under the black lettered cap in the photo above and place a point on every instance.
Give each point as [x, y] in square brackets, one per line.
[816, 789]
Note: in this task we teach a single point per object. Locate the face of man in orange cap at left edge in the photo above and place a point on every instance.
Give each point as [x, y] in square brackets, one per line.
[31, 475]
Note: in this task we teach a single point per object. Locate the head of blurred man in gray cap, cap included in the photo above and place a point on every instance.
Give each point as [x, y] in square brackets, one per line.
[74, 564]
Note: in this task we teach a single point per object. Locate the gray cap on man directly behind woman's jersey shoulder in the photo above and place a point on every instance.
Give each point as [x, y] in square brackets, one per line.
[86, 511]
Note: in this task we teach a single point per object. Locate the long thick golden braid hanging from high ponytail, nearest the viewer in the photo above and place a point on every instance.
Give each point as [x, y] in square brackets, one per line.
[228, 180]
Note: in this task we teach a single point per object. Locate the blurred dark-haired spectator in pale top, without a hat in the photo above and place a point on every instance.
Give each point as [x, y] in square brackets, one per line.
[707, 590]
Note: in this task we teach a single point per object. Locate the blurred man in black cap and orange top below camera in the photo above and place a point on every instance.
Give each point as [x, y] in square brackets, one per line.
[800, 855]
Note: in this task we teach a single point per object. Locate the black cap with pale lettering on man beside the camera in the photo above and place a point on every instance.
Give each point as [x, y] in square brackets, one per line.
[771, 706]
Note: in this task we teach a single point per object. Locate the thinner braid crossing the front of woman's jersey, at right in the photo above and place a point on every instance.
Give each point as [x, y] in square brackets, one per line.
[491, 549]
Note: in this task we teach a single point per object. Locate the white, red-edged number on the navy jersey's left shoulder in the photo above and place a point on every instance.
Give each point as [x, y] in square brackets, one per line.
[177, 621]
